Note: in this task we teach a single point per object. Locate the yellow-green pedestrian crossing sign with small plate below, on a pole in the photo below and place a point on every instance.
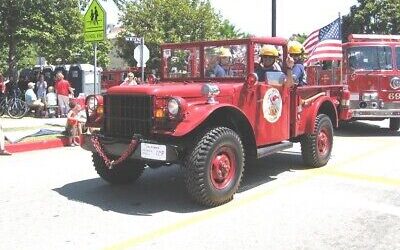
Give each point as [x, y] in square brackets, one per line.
[95, 23]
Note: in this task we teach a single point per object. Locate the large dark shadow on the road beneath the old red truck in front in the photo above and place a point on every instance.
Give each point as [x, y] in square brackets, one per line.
[163, 189]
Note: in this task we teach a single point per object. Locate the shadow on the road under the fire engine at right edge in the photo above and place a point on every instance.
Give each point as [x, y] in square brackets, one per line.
[360, 129]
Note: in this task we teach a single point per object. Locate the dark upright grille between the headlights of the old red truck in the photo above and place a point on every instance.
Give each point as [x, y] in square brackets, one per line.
[126, 115]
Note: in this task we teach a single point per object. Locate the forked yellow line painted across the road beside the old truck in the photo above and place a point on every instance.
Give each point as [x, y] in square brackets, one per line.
[235, 204]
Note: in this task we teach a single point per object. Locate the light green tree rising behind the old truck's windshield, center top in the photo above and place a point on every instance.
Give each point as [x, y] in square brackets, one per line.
[160, 21]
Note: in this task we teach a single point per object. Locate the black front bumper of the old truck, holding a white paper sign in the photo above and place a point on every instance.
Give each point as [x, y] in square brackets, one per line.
[116, 147]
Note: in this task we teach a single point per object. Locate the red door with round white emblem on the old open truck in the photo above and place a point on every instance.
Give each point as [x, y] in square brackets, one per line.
[273, 111]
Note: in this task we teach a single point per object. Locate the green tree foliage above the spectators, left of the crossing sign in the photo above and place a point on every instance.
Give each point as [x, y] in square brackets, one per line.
[47, 28]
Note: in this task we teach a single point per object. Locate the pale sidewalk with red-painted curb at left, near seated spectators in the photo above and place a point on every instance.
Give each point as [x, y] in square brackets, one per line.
[14, 129]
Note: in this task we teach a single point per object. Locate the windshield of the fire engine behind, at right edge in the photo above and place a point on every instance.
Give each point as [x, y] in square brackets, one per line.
[370, 58]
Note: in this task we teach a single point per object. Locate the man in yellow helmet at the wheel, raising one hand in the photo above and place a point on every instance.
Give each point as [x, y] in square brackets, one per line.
[268, 63]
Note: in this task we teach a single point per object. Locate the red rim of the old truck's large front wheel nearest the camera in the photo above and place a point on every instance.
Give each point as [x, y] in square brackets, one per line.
[223, 168]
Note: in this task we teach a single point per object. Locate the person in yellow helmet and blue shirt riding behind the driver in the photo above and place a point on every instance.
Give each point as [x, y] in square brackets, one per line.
[296, 51]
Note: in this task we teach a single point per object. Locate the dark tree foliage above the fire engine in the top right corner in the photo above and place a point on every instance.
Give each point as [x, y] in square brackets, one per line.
[373, 17]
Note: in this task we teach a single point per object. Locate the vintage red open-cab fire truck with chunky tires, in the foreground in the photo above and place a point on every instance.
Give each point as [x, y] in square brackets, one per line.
[213, 126]
